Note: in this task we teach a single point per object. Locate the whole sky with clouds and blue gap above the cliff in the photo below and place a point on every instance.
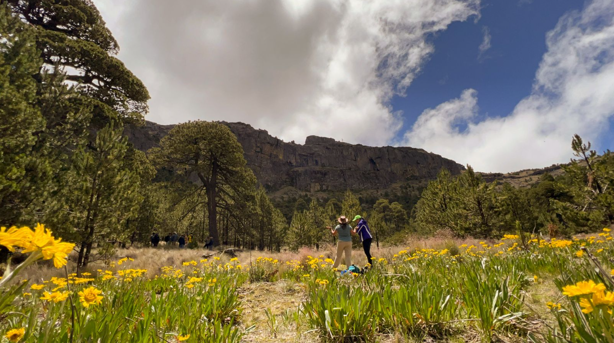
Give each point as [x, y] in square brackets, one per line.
[336, 68]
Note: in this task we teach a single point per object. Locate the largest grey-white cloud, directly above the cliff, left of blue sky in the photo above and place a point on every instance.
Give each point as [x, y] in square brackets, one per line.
[293, 67]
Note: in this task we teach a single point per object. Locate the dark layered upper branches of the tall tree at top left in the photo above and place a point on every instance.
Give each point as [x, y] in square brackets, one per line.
[72, 35]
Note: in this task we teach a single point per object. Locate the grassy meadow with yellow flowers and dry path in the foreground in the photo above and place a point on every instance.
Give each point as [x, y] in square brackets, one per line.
[517, 289]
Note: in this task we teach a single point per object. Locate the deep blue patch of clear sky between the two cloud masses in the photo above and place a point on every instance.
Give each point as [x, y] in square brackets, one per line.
[503, 75]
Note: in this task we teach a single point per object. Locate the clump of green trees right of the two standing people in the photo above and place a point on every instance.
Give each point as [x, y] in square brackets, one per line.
[580, 200]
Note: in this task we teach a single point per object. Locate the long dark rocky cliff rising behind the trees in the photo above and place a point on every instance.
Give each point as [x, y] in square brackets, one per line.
[321, 164]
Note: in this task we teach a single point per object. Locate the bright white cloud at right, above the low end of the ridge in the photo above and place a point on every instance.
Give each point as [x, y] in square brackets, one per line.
[572, 93]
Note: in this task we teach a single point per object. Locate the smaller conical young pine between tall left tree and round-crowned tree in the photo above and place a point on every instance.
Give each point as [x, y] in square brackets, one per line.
[100, 192]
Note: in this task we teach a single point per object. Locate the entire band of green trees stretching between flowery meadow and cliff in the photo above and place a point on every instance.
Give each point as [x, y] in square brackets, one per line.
[64, 161]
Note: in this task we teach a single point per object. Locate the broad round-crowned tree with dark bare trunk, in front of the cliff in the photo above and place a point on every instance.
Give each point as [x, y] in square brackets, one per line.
[225, 194]
